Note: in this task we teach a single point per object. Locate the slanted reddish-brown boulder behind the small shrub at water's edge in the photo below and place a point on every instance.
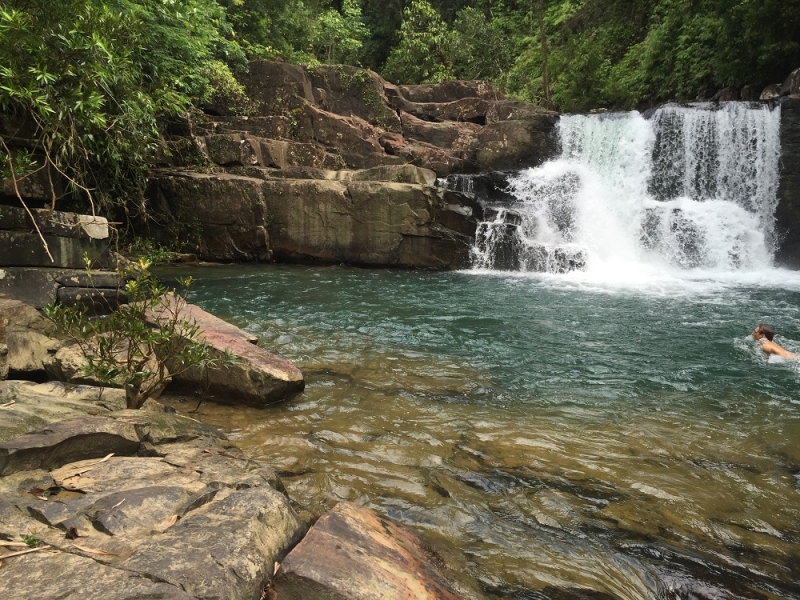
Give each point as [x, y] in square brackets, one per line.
[258, 378]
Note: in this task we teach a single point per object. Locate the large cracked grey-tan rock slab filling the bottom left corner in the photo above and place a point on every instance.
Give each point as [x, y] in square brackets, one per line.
[183, 516]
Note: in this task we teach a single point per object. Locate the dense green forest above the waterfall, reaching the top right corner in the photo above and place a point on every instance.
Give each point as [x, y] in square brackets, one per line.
[599, 53]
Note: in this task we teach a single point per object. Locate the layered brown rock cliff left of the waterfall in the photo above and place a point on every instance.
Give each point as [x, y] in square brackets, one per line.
[337, 165]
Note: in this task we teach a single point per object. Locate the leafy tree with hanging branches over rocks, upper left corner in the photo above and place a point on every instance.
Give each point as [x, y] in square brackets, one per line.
[83, 83]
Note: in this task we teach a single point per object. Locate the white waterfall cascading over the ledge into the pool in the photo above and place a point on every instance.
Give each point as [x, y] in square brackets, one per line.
[690, 187]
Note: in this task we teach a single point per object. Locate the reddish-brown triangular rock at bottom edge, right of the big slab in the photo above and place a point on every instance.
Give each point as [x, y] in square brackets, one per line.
[353, 554]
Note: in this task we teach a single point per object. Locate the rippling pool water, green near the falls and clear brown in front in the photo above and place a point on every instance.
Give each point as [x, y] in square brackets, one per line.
[632, 444]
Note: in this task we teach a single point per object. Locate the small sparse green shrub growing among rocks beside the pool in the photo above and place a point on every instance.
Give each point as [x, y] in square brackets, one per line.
[140, 343]
